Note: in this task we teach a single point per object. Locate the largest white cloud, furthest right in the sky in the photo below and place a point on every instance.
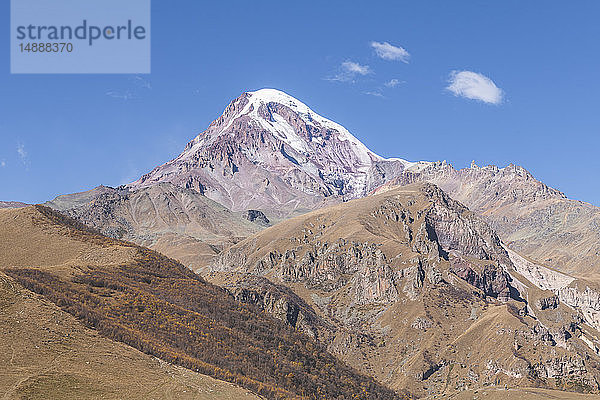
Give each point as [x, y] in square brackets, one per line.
[472, 85]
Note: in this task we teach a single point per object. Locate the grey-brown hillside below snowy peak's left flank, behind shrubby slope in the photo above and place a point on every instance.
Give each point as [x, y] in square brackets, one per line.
[178, 222]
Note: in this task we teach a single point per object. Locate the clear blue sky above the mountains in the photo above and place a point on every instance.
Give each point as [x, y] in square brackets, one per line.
[66, 133]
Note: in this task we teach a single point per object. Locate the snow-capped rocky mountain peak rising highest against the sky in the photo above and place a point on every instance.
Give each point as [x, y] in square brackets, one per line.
[270, 151]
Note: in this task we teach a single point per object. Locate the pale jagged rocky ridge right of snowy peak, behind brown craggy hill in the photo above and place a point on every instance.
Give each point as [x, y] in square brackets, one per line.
[538, 221]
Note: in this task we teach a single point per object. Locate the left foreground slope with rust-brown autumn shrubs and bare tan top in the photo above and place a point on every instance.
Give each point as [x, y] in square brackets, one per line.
[137, 296]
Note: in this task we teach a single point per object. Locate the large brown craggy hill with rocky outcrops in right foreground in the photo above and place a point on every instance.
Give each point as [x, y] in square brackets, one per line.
[414, 289]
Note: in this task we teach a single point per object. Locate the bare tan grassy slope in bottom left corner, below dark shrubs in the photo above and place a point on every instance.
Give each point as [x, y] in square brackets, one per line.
[45, 353]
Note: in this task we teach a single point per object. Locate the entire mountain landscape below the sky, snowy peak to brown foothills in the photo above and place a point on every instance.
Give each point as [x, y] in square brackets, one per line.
[281, 255]
